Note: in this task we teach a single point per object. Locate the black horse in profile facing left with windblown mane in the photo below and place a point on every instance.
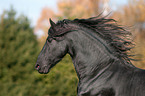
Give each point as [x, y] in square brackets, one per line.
[98, 48]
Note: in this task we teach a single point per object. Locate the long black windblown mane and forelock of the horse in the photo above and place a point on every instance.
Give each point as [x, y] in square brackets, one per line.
[115, 35]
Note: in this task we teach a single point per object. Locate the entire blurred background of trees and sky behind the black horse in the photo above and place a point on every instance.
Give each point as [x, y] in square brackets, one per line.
[23, 31]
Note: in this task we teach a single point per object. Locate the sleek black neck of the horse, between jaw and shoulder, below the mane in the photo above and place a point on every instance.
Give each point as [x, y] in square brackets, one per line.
[89, 56]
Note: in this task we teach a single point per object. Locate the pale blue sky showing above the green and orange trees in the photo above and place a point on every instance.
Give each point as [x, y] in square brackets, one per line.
[32, 8]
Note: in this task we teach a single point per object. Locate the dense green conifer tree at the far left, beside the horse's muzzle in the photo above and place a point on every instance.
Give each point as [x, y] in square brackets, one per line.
[18, 53]
